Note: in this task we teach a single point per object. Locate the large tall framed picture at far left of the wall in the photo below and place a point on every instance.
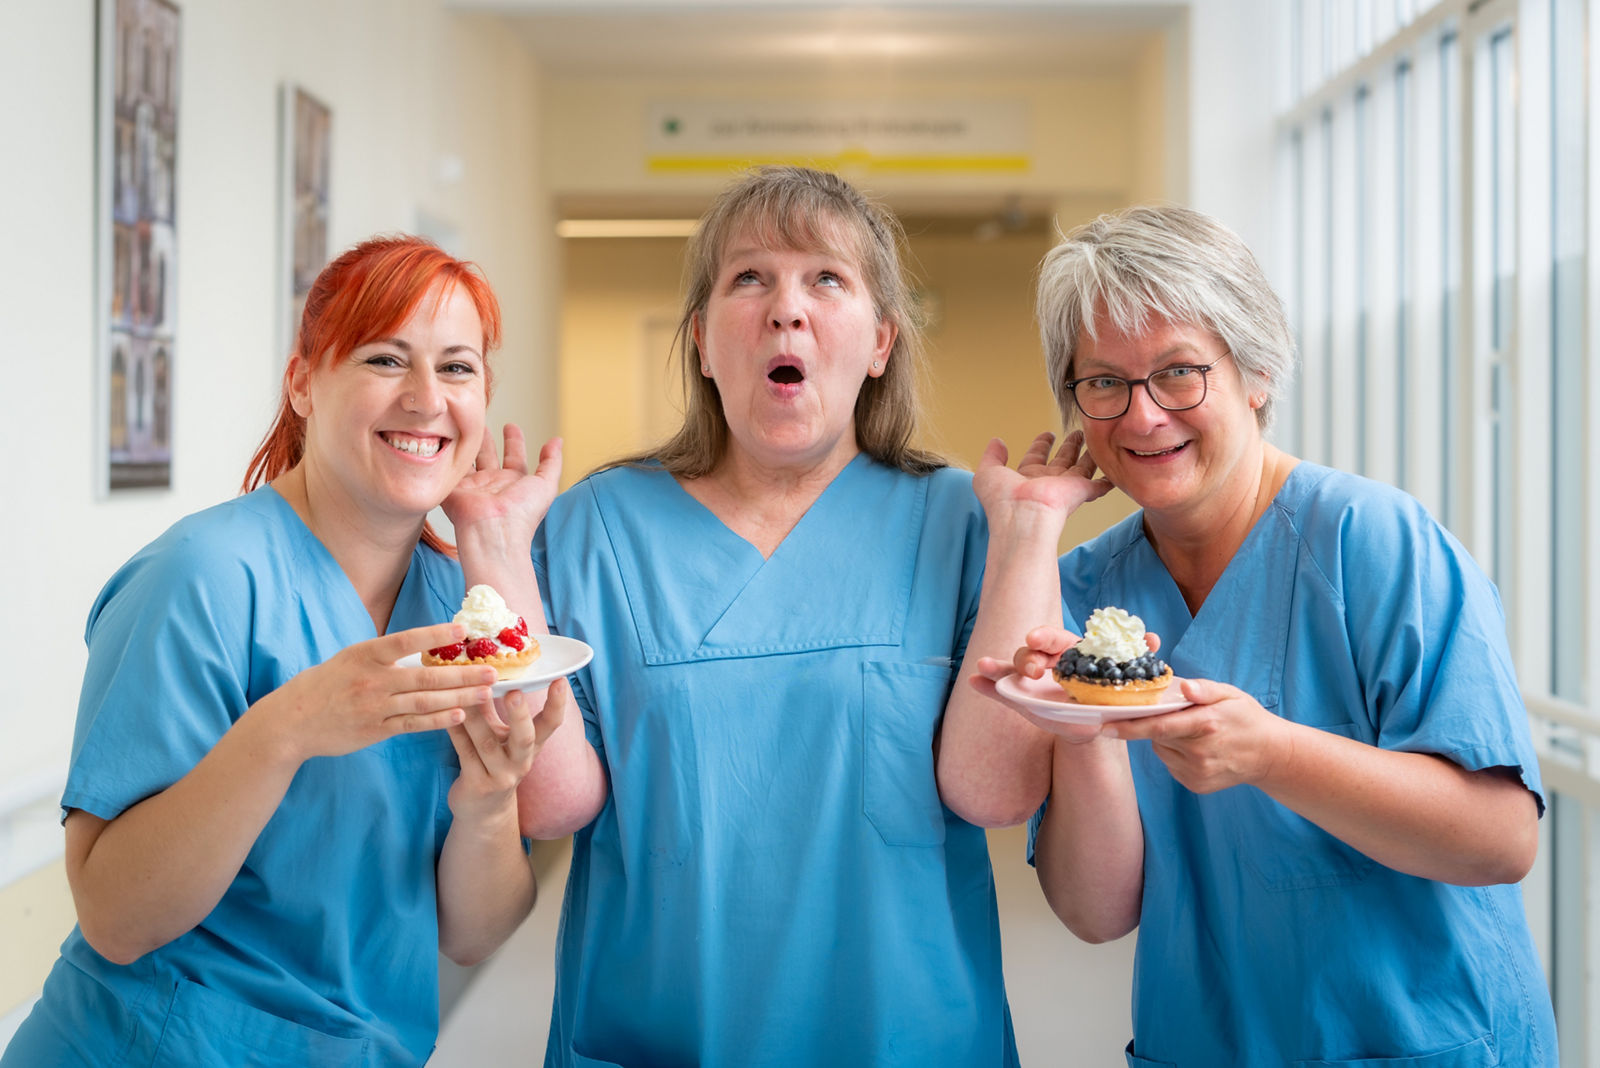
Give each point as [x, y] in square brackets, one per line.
[137, 124]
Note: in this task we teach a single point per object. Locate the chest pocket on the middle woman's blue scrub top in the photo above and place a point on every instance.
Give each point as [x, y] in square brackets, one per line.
[900, 711]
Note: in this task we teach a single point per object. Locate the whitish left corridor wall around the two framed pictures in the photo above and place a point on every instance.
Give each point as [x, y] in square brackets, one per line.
[409, 84]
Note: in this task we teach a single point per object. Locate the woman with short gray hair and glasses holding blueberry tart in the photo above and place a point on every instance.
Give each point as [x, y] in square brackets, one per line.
[1319, 851]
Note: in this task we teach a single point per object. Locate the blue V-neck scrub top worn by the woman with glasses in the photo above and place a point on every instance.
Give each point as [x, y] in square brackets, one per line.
[1263, 939]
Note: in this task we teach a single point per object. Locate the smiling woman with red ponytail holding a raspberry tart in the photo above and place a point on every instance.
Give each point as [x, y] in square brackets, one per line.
[271, 826]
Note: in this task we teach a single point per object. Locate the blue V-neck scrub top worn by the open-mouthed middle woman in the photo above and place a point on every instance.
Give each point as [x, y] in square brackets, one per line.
[774, 879]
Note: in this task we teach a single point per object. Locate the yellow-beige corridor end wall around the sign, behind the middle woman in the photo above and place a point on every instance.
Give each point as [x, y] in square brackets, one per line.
[1097, 143]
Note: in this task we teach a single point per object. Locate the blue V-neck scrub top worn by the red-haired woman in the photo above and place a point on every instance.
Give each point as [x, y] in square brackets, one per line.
[326, 947]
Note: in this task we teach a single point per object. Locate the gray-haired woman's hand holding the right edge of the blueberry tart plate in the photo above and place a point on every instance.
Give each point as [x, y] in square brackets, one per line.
[1223, 739]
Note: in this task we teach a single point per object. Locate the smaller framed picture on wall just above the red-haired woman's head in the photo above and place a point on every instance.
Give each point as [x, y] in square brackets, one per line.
[306, 127]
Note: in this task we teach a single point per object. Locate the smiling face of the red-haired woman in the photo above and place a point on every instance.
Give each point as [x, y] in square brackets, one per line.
[394, 426]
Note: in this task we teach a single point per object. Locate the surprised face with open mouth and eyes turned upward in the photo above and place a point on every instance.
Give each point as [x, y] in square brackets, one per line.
[790, 337]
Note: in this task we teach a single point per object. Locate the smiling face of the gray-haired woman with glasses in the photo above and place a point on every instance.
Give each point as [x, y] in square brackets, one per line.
[1172, 463]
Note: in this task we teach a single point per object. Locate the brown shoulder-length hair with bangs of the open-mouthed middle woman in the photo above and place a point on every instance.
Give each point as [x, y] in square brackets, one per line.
[804, 210]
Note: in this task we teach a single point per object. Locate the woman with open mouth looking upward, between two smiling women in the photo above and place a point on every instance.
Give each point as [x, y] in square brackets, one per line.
[777, 858]
